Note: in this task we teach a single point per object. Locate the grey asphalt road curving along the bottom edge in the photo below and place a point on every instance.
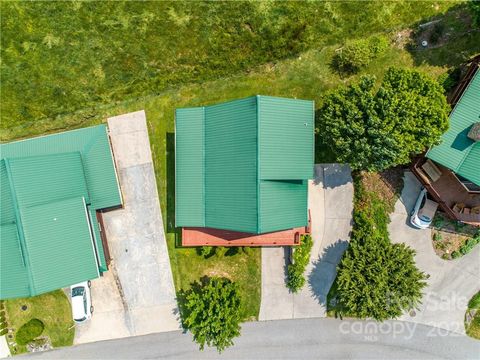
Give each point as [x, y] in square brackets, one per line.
[291, 339]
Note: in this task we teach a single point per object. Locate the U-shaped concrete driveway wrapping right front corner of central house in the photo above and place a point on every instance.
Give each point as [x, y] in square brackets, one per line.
[330, 200]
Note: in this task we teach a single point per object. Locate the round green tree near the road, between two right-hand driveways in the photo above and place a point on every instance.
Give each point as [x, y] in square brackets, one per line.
[378, 279]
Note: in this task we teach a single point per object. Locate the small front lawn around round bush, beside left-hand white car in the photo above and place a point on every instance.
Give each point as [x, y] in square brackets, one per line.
[53, 309]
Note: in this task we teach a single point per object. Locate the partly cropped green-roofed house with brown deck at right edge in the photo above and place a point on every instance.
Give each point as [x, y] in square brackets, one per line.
[450, 171]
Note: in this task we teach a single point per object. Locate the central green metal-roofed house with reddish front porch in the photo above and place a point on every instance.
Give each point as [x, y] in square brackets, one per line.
[242, 170]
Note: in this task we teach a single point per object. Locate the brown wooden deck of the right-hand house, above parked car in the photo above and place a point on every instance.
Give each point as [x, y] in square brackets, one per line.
[445, 188]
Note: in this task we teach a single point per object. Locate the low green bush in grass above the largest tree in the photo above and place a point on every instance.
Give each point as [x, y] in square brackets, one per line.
[357, 54]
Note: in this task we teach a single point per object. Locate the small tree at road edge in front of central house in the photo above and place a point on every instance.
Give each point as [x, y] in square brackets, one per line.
[212, 312]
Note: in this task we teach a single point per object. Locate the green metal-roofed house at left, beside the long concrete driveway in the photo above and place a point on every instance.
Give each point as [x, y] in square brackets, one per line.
[52, 188]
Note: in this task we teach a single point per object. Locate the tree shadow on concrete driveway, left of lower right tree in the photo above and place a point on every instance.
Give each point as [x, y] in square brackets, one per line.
[324, 270]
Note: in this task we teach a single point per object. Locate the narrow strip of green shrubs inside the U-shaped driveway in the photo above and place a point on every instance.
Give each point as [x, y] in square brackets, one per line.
[301, 258]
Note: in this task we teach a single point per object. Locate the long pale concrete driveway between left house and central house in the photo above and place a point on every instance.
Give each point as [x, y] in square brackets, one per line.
[137, 295]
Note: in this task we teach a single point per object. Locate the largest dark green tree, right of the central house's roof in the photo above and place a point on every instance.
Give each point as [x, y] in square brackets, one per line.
[377, 129]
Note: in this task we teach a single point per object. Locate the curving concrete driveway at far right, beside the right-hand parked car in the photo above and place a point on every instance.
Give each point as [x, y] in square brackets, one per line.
[451, 283]
